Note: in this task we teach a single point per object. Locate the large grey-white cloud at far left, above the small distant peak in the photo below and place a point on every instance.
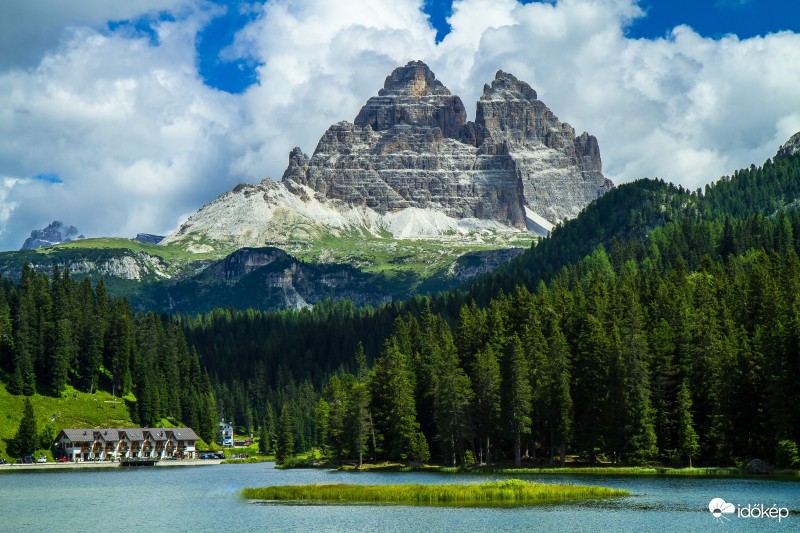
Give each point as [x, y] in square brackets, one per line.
[128, 127]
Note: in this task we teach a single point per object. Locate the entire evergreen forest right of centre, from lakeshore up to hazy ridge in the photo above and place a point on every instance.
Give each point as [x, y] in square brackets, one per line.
[660, 325]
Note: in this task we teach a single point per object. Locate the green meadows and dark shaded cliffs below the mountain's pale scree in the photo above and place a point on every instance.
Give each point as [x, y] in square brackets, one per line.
[171, 278]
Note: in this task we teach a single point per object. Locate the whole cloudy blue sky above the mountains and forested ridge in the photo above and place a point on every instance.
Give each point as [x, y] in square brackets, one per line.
[125, 117]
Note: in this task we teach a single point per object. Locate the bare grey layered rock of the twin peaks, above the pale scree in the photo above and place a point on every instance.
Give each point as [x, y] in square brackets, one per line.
[412, 147]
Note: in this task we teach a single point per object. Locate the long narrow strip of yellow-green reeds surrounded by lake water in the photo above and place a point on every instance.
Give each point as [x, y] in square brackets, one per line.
[512, 492]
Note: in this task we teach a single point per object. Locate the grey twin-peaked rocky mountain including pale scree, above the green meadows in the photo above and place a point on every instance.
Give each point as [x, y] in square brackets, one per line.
[411, 166]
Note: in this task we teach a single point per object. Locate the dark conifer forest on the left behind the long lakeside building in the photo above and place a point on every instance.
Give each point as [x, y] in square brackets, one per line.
[55, 332]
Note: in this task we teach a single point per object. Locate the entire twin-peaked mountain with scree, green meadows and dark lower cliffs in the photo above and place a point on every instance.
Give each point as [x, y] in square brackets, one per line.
[409, 198]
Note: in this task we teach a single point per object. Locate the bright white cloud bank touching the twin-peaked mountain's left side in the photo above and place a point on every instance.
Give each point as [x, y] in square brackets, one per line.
[319, 62]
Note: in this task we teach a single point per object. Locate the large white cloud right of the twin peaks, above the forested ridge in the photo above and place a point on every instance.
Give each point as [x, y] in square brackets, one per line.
[684, 107]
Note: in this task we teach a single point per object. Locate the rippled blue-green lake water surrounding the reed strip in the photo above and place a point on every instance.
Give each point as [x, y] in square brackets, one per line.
[206, 498]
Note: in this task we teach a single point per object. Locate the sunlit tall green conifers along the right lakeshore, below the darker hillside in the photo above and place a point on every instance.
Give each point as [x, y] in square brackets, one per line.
[631, 365]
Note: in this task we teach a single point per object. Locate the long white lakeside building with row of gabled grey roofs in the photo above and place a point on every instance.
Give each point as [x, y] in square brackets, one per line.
[85, 444]
